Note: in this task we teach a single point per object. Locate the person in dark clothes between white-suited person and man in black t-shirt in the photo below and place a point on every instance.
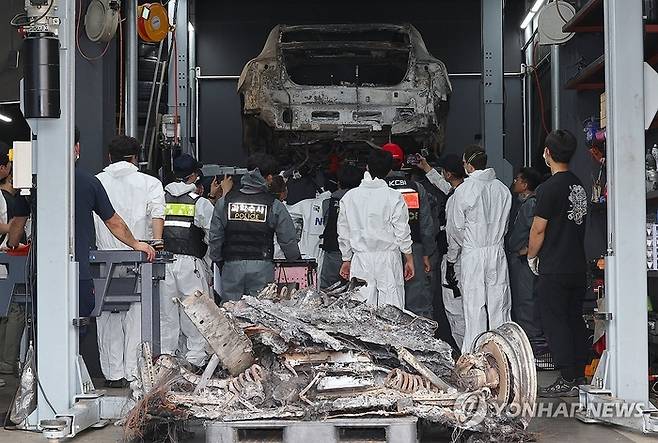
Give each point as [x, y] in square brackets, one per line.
[522, 280]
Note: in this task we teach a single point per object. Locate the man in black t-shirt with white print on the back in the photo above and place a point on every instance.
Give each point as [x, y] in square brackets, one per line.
[556, 253]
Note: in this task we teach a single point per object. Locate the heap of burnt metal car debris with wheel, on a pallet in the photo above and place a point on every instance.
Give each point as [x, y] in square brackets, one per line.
[315, 355]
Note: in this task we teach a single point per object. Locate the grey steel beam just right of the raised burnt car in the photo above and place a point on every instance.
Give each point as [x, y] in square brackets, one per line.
[492, 88]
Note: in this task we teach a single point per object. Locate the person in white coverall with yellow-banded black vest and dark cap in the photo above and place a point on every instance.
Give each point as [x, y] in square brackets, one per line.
[186, 228]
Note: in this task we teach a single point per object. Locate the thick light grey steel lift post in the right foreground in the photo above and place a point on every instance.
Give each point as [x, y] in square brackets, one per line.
[626, 275]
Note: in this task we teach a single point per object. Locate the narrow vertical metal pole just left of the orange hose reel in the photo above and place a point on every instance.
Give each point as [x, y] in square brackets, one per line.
[131, 69]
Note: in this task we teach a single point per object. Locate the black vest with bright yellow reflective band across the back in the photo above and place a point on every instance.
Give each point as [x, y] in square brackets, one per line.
[181, 235]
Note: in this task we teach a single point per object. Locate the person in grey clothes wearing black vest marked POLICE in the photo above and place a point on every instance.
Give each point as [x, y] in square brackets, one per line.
[242, 232]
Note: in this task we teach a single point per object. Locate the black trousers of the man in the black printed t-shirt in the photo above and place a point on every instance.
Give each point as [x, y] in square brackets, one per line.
[561, 309]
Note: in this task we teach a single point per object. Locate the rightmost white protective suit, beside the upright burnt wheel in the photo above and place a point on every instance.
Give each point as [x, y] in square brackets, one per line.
[478, 225]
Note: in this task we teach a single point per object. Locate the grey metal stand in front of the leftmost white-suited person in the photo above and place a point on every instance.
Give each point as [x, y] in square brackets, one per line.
[123, 277]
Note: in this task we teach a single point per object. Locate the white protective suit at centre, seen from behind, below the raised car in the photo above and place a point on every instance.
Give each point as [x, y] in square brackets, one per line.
[373, 228]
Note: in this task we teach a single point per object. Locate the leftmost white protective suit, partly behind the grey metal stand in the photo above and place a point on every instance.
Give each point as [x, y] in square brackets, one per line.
[138, 198]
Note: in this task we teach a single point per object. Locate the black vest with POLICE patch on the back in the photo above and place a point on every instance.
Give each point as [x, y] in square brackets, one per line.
[248, 236]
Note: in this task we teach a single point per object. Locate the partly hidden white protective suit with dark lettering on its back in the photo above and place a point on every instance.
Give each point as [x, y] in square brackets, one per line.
[311, 214]
